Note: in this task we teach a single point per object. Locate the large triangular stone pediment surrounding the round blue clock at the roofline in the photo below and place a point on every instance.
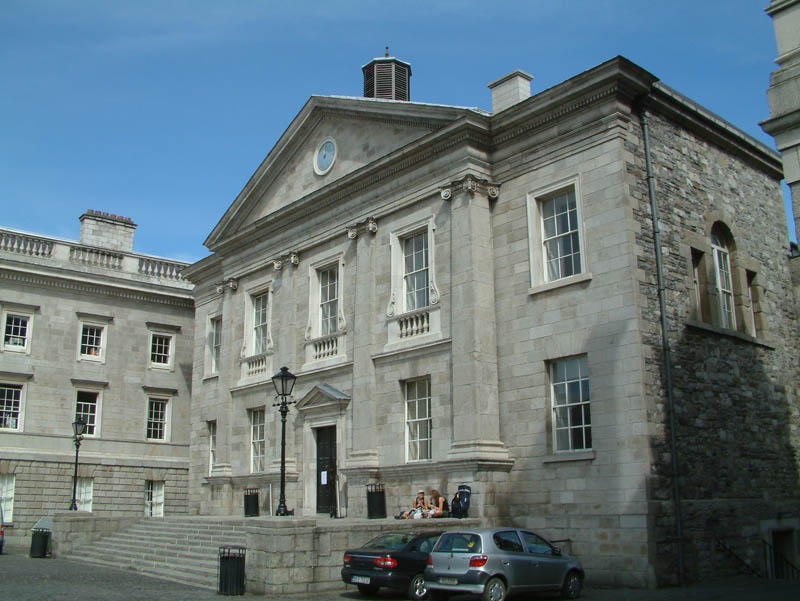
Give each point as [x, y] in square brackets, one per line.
[363, 130]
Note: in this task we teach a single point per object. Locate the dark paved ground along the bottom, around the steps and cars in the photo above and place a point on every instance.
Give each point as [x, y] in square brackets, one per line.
[26, 579]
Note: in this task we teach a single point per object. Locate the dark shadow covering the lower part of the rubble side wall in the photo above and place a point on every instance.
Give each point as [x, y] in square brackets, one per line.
[736, 461]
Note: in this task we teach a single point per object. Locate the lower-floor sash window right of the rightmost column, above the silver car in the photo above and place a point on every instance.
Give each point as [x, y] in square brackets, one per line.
[572, 420]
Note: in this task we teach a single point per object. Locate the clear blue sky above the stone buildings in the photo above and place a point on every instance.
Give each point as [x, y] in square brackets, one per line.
[161, 110]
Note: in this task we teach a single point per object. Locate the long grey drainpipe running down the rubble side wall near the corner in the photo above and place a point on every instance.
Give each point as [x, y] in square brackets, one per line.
[676, 493]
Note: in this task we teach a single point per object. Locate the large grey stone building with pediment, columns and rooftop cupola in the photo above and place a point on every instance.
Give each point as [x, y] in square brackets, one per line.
[484, 298]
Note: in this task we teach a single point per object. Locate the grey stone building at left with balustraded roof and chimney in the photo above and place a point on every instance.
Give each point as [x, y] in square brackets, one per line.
[92, 329]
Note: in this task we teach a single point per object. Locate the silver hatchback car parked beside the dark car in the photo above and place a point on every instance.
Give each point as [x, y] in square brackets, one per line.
[494, 562]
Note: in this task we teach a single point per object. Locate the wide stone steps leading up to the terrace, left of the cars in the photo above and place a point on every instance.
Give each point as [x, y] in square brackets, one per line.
[181, 549]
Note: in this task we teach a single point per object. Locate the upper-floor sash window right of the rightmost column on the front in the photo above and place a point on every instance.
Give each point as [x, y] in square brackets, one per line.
[560, 238]
